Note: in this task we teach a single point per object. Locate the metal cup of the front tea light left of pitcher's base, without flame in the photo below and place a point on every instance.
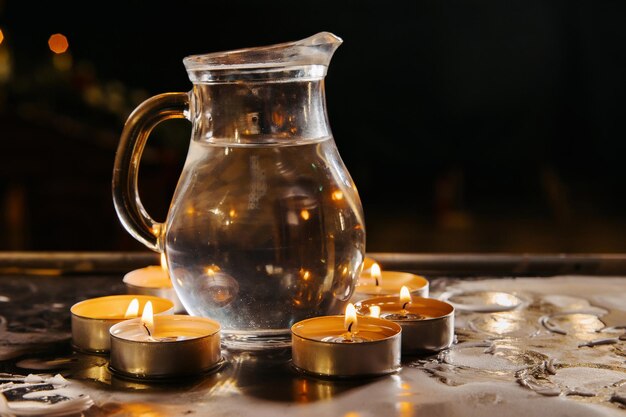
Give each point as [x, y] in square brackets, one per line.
[180, 346]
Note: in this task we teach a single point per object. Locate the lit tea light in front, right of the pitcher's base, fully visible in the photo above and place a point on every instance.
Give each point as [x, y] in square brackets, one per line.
[344, 346]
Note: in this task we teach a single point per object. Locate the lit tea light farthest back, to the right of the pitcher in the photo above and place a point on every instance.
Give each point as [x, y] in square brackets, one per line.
[378, 283]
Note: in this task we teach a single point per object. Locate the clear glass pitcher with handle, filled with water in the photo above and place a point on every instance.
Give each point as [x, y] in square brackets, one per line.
[266, 227]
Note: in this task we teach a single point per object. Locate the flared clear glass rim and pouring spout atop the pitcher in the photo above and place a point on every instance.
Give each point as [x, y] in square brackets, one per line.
[308, 57]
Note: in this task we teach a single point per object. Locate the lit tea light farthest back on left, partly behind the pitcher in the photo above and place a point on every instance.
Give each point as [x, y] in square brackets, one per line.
[153, 280]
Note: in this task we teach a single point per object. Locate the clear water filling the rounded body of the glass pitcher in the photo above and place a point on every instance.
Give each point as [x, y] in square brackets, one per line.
[260, 237]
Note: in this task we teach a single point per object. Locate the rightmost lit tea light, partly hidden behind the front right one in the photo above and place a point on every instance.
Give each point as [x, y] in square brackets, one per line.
[427, 324]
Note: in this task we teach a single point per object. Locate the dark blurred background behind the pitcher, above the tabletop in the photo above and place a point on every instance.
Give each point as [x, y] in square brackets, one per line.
[473, 126]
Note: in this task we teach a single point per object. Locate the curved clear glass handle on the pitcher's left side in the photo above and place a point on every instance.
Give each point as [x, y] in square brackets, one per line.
[140, 123]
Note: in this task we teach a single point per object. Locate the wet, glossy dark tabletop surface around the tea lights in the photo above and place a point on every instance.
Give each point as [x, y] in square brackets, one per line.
[519, 344]
